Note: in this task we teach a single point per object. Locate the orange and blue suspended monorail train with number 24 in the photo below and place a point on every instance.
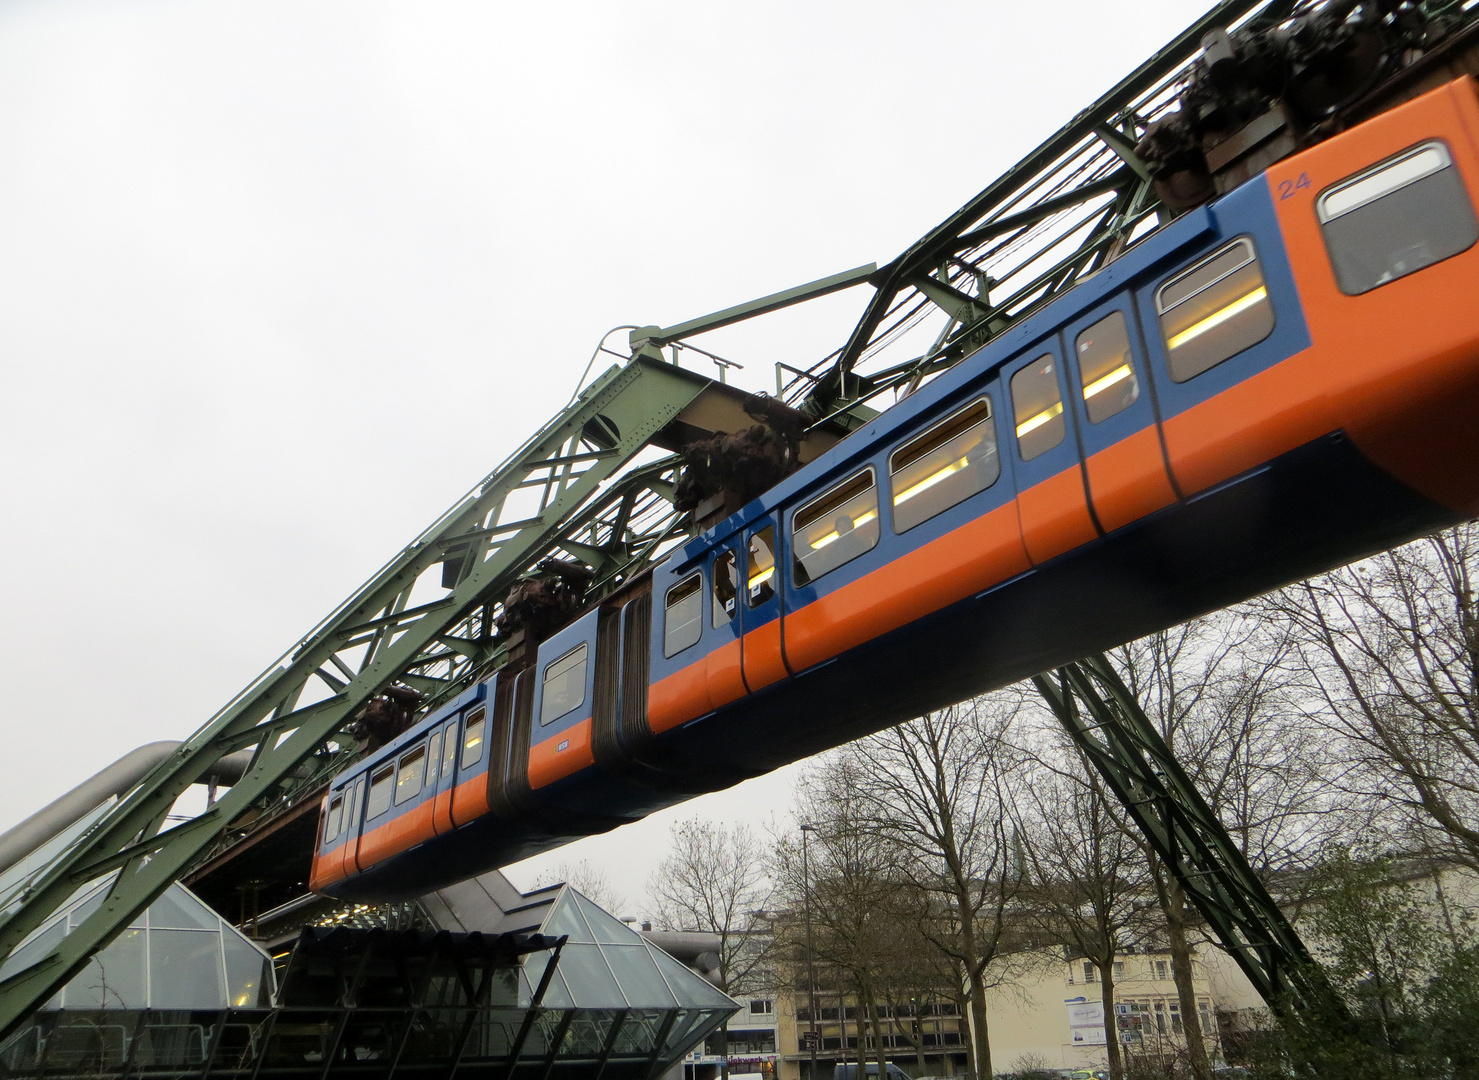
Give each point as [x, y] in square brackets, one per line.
[1273, 385]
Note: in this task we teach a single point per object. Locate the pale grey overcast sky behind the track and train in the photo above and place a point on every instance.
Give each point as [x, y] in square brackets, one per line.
[280, 280]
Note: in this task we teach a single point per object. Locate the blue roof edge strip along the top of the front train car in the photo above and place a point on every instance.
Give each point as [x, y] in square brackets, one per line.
[1156, 248]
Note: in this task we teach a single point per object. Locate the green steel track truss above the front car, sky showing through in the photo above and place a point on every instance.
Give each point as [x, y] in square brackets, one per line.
[1042, 227]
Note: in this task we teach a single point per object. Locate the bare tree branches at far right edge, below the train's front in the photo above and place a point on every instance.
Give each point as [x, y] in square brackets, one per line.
[1388, 652]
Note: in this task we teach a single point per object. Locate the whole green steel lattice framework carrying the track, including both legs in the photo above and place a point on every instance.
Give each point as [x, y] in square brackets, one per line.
[591, 487]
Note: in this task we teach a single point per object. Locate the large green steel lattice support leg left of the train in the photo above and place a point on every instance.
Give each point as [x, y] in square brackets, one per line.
[558, 493]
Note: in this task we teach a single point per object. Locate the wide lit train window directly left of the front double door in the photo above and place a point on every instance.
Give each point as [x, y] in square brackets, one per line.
[949, 464]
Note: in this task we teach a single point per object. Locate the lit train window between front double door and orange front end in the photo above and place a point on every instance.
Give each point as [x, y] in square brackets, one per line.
[1215, 310]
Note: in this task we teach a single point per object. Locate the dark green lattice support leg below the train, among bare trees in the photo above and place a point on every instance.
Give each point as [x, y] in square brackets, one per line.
[1119, 739]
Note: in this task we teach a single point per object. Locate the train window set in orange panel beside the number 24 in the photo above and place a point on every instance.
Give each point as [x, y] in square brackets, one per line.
[1397, 218]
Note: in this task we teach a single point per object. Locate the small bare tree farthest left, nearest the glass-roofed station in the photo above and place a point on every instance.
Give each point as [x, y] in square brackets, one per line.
[715, 880]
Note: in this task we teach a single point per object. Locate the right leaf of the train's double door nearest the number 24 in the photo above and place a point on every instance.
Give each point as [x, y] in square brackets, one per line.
[1119, 424]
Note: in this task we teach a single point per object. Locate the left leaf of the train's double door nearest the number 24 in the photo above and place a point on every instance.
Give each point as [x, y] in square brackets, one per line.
[1052, 501]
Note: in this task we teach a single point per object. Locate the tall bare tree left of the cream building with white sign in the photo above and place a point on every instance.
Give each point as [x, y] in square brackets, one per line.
[940, 791]
